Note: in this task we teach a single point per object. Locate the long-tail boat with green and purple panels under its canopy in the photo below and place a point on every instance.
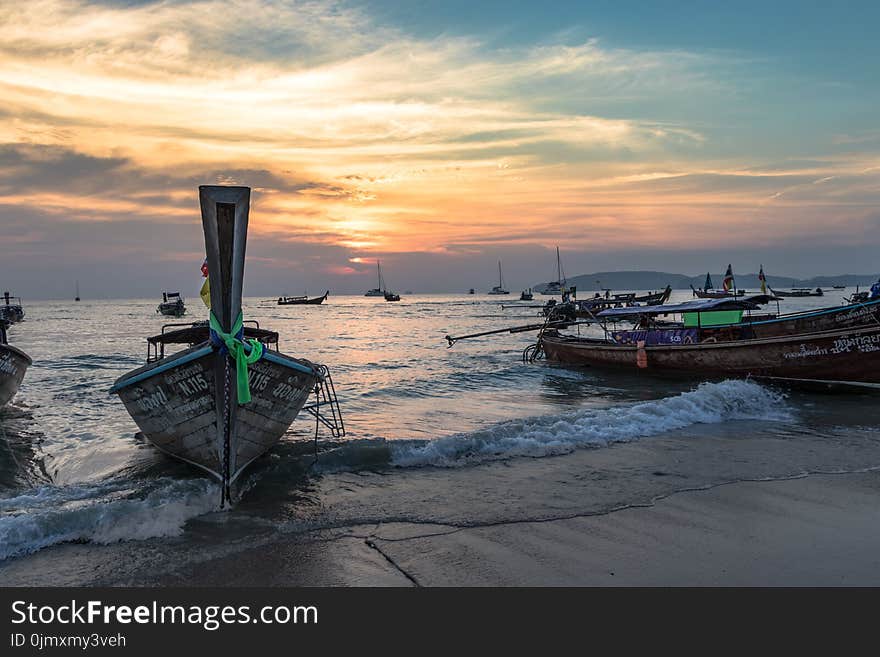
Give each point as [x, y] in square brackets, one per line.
[796, 348]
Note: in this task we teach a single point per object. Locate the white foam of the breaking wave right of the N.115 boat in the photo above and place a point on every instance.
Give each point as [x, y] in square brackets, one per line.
[709, 403]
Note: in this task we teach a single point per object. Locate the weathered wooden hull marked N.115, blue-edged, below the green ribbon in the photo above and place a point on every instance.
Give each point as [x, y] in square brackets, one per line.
[177, 402]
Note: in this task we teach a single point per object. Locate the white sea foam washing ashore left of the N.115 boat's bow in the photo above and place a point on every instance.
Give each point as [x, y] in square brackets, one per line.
[105, 514]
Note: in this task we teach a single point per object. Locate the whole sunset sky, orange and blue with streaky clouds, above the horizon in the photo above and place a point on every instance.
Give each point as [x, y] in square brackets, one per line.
[438, 137]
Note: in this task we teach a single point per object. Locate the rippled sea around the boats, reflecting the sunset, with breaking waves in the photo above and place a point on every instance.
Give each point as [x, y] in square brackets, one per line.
[463, 436]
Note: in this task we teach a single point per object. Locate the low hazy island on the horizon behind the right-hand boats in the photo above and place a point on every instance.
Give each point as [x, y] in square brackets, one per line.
[657, 280]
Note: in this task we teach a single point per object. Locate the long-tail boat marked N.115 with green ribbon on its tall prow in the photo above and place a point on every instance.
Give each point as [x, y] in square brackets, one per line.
[229, 397]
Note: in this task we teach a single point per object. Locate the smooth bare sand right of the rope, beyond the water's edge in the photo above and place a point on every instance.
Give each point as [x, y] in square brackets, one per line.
[822, 530]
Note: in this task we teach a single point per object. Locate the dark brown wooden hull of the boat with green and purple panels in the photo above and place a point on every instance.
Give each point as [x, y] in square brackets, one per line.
[845, 356]
